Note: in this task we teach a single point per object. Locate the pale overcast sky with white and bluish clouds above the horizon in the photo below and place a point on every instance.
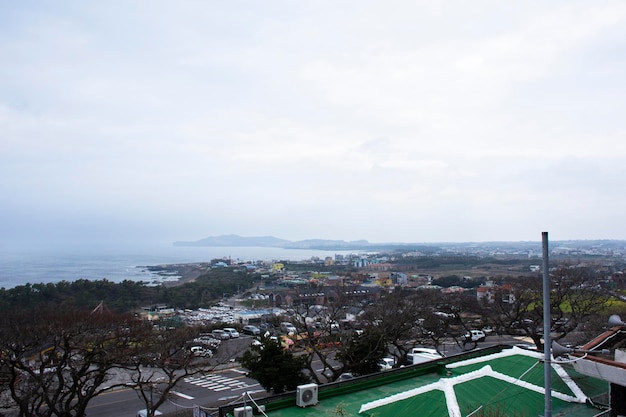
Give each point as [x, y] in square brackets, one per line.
[394, 121]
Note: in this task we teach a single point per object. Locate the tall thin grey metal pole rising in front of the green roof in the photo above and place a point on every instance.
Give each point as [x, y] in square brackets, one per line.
[547, 344]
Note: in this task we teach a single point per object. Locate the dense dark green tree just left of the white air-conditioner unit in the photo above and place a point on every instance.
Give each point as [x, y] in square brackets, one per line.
[274, 367]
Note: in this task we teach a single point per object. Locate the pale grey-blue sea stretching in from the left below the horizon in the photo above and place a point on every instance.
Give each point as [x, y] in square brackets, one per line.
[21, 264]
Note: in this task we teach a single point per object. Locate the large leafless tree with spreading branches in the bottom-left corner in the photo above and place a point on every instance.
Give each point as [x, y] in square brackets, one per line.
[57, 361]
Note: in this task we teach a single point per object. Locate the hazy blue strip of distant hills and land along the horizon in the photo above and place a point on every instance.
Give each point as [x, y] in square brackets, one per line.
[363, 245]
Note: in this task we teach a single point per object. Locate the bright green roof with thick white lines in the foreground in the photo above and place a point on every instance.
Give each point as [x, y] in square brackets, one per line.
[508, 382]
